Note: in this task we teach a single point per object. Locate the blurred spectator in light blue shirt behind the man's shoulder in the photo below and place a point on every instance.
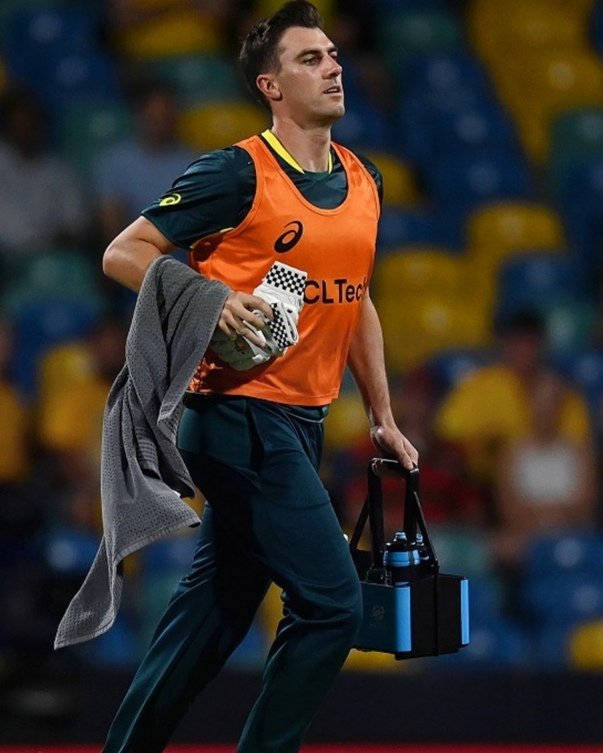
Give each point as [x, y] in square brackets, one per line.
[131, 174]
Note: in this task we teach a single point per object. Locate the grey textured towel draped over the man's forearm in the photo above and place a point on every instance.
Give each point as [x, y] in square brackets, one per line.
[142, 474]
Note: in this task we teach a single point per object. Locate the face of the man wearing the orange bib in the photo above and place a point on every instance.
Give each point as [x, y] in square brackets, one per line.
[309, 79]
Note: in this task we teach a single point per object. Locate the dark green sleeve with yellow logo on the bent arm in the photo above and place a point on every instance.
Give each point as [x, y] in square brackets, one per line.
[216, 192]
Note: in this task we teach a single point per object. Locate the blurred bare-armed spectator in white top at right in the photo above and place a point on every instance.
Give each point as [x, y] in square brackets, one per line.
[545, 478]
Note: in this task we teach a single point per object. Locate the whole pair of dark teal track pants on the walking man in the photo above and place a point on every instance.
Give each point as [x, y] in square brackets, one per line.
[268, 518]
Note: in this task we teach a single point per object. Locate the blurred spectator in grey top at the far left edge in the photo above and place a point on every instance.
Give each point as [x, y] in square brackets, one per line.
[41, 201]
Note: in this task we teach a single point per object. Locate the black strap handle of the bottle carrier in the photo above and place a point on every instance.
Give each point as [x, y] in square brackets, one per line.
[372, 511]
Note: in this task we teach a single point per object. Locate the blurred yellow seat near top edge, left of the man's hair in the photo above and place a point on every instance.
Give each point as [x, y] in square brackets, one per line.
[179, 32]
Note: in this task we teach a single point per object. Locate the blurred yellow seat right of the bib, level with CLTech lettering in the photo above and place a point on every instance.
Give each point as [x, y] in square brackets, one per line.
[424, 270]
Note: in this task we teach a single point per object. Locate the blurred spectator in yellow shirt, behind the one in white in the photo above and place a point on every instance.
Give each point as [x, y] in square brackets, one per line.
[491, 405]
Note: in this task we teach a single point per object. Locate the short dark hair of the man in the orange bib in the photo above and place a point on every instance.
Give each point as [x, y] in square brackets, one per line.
[259, 51]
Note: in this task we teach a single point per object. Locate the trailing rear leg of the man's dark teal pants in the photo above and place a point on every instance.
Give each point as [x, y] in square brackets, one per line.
[207, 617]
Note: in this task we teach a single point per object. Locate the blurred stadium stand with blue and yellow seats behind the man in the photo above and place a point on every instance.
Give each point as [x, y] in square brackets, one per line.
[486, 120]
